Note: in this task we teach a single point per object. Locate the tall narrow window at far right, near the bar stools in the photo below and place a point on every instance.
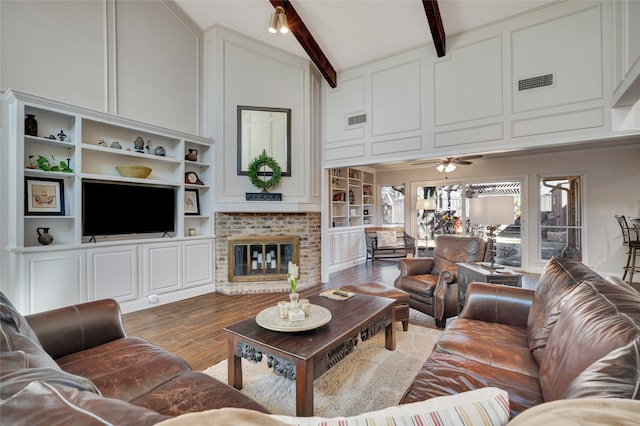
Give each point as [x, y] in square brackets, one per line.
[560, 217]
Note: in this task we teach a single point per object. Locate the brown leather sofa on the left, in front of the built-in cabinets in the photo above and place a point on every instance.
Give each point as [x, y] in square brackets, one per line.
[76, 365]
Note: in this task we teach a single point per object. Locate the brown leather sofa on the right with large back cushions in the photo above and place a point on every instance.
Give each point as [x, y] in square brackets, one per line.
[576, 336]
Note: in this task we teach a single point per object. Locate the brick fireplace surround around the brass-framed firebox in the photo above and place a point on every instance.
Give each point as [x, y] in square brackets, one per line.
[305, 225]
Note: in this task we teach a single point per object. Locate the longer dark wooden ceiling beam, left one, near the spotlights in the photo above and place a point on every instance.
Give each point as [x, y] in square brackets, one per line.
[308, 43]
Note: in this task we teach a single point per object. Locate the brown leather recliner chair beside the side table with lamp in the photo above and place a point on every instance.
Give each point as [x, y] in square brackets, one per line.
[432, 281]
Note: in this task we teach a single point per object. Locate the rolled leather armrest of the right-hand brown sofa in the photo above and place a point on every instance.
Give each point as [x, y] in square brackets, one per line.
[497, 303]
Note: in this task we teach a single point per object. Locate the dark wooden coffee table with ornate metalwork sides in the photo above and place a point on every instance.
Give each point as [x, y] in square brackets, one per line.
[305, 356]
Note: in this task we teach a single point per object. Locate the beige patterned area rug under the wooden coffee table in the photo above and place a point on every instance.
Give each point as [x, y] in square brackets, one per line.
[370, 378]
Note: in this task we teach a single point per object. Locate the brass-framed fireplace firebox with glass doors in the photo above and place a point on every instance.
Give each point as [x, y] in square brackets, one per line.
[261, 258]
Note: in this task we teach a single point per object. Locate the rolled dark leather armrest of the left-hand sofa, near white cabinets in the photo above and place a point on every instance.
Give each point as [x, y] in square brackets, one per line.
[75, 328]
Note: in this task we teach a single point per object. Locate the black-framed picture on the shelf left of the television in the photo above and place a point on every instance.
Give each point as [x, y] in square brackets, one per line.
[43, 196]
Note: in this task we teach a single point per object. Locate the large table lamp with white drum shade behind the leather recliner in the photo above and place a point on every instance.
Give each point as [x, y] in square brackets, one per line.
[491, 211]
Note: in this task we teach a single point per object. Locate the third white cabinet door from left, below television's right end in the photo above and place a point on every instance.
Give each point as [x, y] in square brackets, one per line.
[163, 267]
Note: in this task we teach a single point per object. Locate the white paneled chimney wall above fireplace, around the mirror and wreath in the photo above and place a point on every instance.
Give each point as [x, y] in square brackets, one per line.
[243, 71]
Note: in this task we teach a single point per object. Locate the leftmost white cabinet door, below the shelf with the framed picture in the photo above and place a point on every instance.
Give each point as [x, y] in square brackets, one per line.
[55, 279]
